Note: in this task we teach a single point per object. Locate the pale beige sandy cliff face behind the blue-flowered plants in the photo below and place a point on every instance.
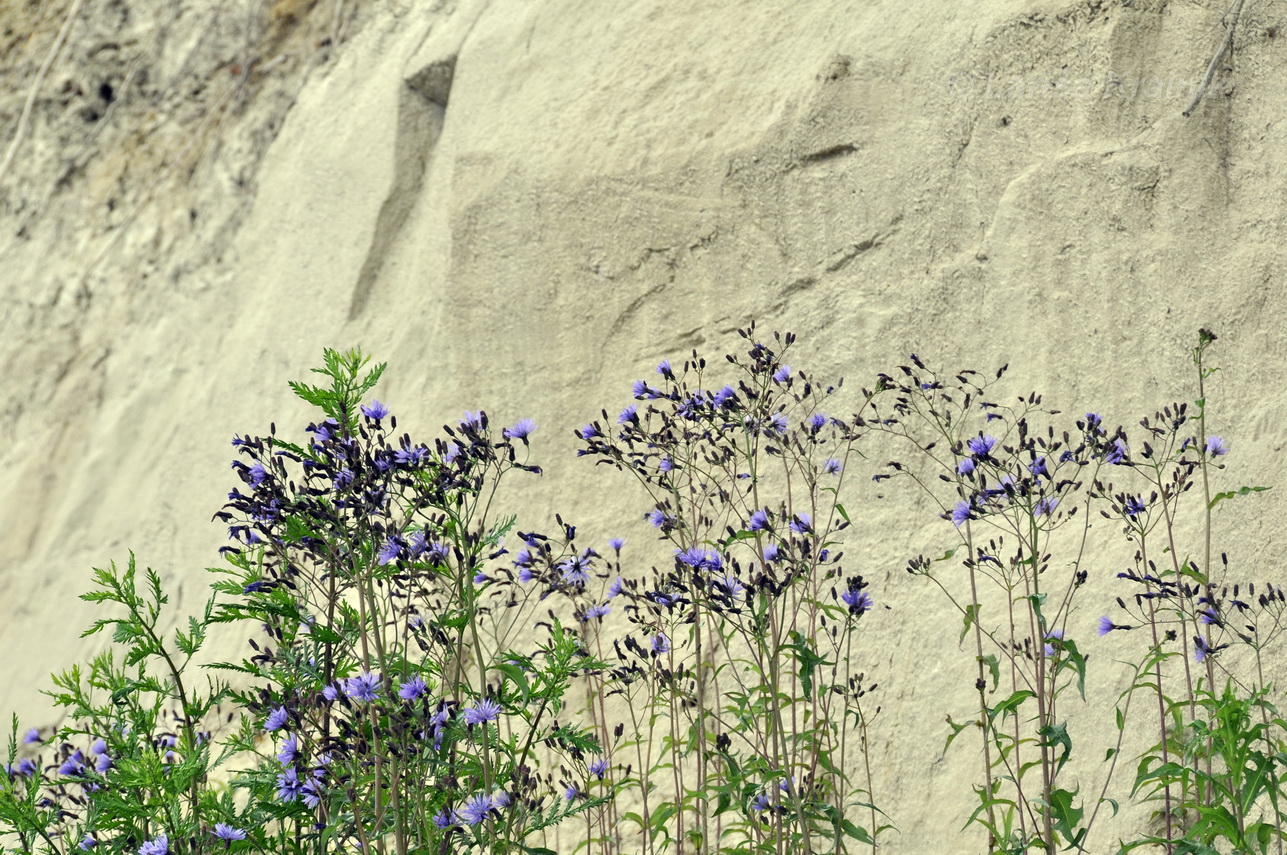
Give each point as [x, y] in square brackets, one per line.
[524, 207]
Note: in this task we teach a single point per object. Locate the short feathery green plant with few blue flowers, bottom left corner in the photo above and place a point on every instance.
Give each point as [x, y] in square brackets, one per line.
[132, 769]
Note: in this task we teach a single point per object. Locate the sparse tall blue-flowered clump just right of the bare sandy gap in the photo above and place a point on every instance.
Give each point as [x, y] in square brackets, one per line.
[1010, 486]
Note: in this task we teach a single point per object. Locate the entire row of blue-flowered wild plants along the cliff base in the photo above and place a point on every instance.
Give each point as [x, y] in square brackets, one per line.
[427, 677]
